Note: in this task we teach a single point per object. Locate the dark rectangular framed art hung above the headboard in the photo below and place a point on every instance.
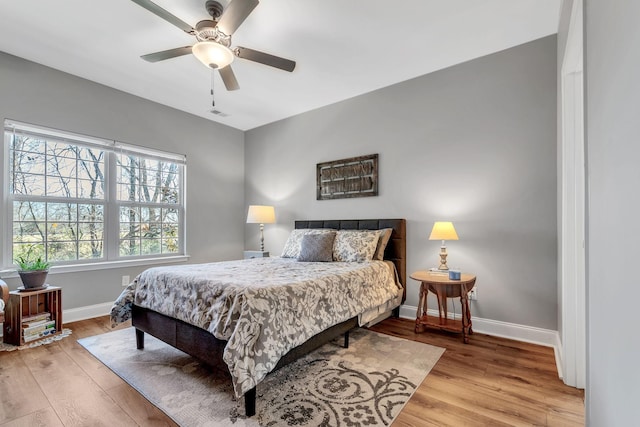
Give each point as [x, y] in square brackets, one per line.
[347, 178]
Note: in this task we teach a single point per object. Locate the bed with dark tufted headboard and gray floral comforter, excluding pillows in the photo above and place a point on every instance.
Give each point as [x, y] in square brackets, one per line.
[254, 332]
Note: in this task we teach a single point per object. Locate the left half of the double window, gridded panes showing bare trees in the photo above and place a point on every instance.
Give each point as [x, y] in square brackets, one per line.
[58, 199]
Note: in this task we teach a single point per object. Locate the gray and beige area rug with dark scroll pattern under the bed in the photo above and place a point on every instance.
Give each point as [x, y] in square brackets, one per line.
[364, 385]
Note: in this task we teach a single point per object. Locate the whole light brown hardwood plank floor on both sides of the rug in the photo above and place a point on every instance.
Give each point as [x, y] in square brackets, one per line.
[490, 381]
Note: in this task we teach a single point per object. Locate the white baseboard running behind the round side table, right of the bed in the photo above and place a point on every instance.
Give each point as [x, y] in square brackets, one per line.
[545, 337]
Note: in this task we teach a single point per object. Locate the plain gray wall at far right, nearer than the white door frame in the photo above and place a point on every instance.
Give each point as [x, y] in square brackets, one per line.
[612, 35]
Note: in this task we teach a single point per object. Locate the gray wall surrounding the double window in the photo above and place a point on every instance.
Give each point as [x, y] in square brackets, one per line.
[36, 94]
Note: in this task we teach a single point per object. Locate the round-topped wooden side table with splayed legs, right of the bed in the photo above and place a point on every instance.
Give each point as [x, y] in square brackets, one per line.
[443, 287]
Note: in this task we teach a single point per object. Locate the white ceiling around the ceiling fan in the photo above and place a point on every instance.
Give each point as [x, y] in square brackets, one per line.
[342, 48]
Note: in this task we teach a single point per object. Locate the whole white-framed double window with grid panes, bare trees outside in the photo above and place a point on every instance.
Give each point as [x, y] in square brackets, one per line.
[76, 199]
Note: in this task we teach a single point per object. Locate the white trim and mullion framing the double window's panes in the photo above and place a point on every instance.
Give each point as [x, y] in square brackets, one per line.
[109, 260]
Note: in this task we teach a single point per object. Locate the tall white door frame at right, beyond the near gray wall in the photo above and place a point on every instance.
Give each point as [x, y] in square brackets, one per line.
[573, 192]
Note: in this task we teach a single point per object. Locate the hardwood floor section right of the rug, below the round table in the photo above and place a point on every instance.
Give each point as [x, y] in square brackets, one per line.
[489, 382]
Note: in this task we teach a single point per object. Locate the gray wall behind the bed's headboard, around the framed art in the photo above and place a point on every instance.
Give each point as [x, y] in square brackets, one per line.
[474, 144]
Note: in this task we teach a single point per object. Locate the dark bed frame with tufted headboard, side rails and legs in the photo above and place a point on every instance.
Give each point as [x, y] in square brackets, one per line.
[202, 345]
